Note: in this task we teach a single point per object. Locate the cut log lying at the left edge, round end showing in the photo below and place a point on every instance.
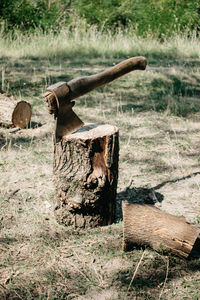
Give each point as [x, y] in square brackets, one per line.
[14, 113]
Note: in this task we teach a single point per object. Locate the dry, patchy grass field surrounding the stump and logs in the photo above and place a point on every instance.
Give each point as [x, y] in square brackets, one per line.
[157, 112]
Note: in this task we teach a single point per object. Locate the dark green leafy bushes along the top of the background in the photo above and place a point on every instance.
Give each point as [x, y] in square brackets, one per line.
[160, 18]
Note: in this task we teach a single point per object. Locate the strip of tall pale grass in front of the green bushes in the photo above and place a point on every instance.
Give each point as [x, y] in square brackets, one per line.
[81, 43]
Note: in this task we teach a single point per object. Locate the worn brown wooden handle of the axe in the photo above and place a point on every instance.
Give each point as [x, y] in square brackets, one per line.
[83, 85]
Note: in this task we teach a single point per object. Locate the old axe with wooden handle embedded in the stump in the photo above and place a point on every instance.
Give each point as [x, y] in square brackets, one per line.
[59, 96]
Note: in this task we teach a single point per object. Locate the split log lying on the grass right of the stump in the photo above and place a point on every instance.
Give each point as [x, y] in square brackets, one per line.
[146, 225]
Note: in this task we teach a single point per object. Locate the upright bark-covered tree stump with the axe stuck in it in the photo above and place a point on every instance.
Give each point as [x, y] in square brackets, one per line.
[85, 176]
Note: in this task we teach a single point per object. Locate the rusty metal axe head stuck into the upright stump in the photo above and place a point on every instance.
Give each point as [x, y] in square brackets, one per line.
[57, 99]
